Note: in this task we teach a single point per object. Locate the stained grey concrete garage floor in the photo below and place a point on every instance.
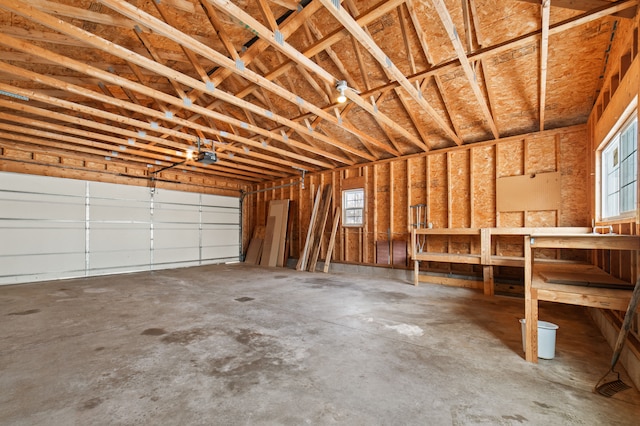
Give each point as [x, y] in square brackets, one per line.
[230, 344]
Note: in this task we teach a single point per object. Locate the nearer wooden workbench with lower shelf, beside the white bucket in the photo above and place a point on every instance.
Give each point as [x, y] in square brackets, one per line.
[584, 285]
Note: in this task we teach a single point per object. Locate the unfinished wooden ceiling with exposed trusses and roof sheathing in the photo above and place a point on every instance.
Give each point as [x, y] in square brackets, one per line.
[256, 80]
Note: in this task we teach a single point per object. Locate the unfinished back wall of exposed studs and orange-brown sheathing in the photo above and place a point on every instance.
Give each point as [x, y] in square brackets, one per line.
[458, 186]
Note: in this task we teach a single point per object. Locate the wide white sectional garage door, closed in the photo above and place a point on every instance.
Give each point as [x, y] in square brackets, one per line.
[61, 228]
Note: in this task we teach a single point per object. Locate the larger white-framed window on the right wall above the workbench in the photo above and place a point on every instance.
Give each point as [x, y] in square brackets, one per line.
[620, 171]
